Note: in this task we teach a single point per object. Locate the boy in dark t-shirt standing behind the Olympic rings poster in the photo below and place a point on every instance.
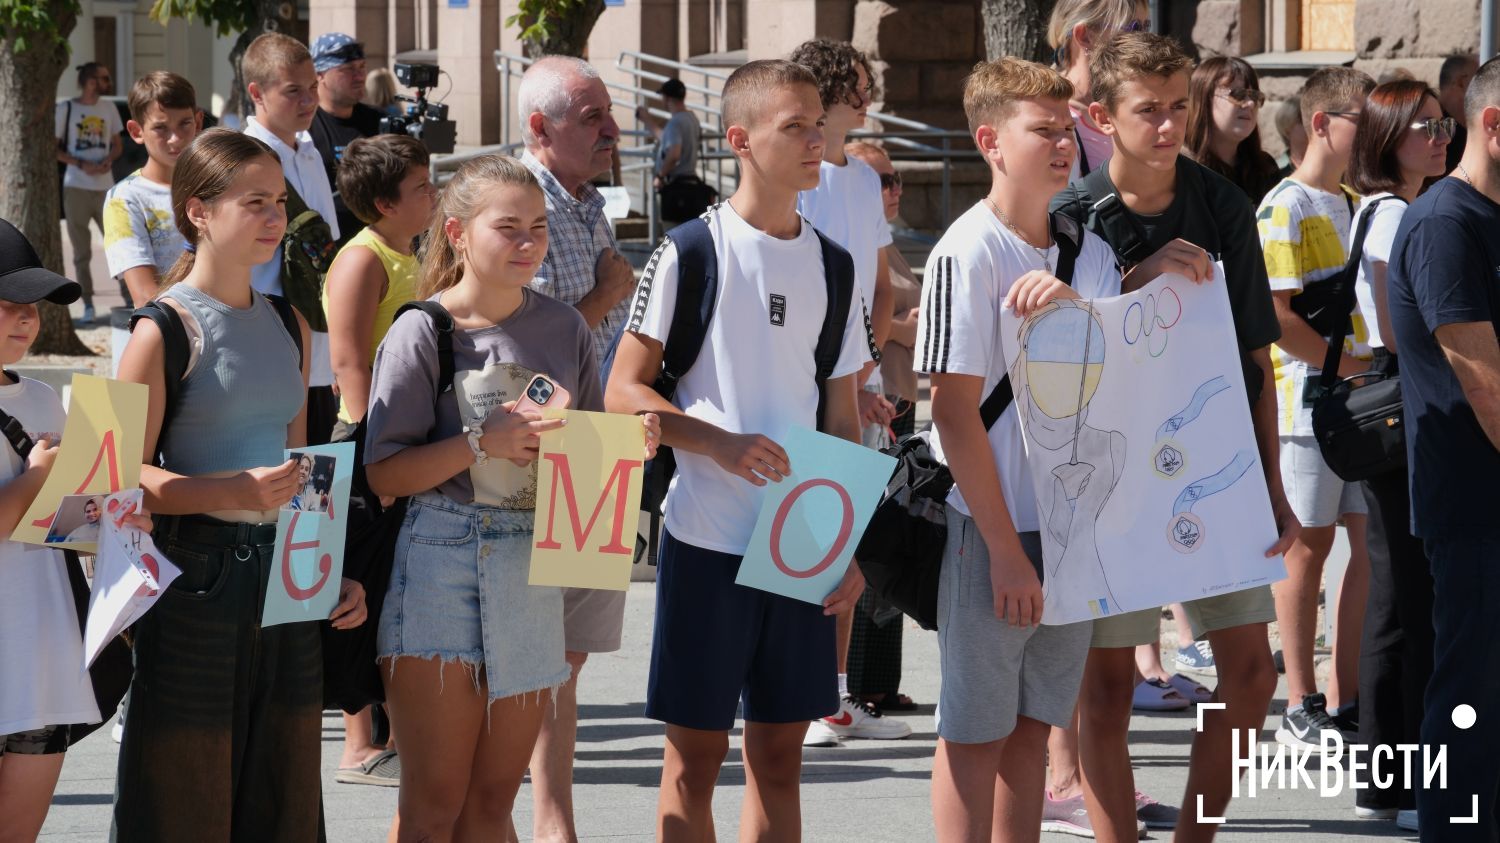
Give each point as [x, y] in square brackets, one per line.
[1151, 200]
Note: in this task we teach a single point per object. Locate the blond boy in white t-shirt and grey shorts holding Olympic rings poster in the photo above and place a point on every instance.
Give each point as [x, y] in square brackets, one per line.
[1004, 677]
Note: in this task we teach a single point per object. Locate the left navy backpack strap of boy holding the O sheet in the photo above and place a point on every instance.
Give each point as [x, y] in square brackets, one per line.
[697, 295]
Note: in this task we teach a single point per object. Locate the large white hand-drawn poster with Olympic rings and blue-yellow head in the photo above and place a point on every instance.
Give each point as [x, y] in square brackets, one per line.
[1139, 440]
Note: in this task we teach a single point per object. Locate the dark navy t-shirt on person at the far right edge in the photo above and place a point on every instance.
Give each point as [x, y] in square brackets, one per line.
[1445, 271]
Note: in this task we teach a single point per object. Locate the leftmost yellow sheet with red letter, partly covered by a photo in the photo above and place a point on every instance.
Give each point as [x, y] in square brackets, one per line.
[101, 454]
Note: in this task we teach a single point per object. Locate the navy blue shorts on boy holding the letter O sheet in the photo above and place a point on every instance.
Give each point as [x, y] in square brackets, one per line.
[718, 644]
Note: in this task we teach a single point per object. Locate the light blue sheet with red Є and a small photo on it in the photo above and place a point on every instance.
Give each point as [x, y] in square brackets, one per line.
[308, 563]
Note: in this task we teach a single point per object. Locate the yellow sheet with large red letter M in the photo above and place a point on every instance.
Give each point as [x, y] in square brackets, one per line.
[589, 500]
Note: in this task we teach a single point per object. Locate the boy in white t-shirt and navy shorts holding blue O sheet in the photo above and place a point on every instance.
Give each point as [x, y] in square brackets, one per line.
[718, 643]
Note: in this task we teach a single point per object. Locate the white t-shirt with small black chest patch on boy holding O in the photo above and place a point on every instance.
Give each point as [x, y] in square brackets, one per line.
[755, 373]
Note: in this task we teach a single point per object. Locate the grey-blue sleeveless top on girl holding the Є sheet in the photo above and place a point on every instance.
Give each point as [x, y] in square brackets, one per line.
[241, 395]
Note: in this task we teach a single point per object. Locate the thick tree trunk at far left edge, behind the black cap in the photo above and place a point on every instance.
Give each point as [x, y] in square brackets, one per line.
[29, 193]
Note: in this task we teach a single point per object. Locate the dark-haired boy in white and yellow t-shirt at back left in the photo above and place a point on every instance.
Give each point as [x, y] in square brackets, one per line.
[140, 236]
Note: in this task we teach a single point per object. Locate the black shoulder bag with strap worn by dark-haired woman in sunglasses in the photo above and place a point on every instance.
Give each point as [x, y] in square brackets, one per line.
[1360, 431]
